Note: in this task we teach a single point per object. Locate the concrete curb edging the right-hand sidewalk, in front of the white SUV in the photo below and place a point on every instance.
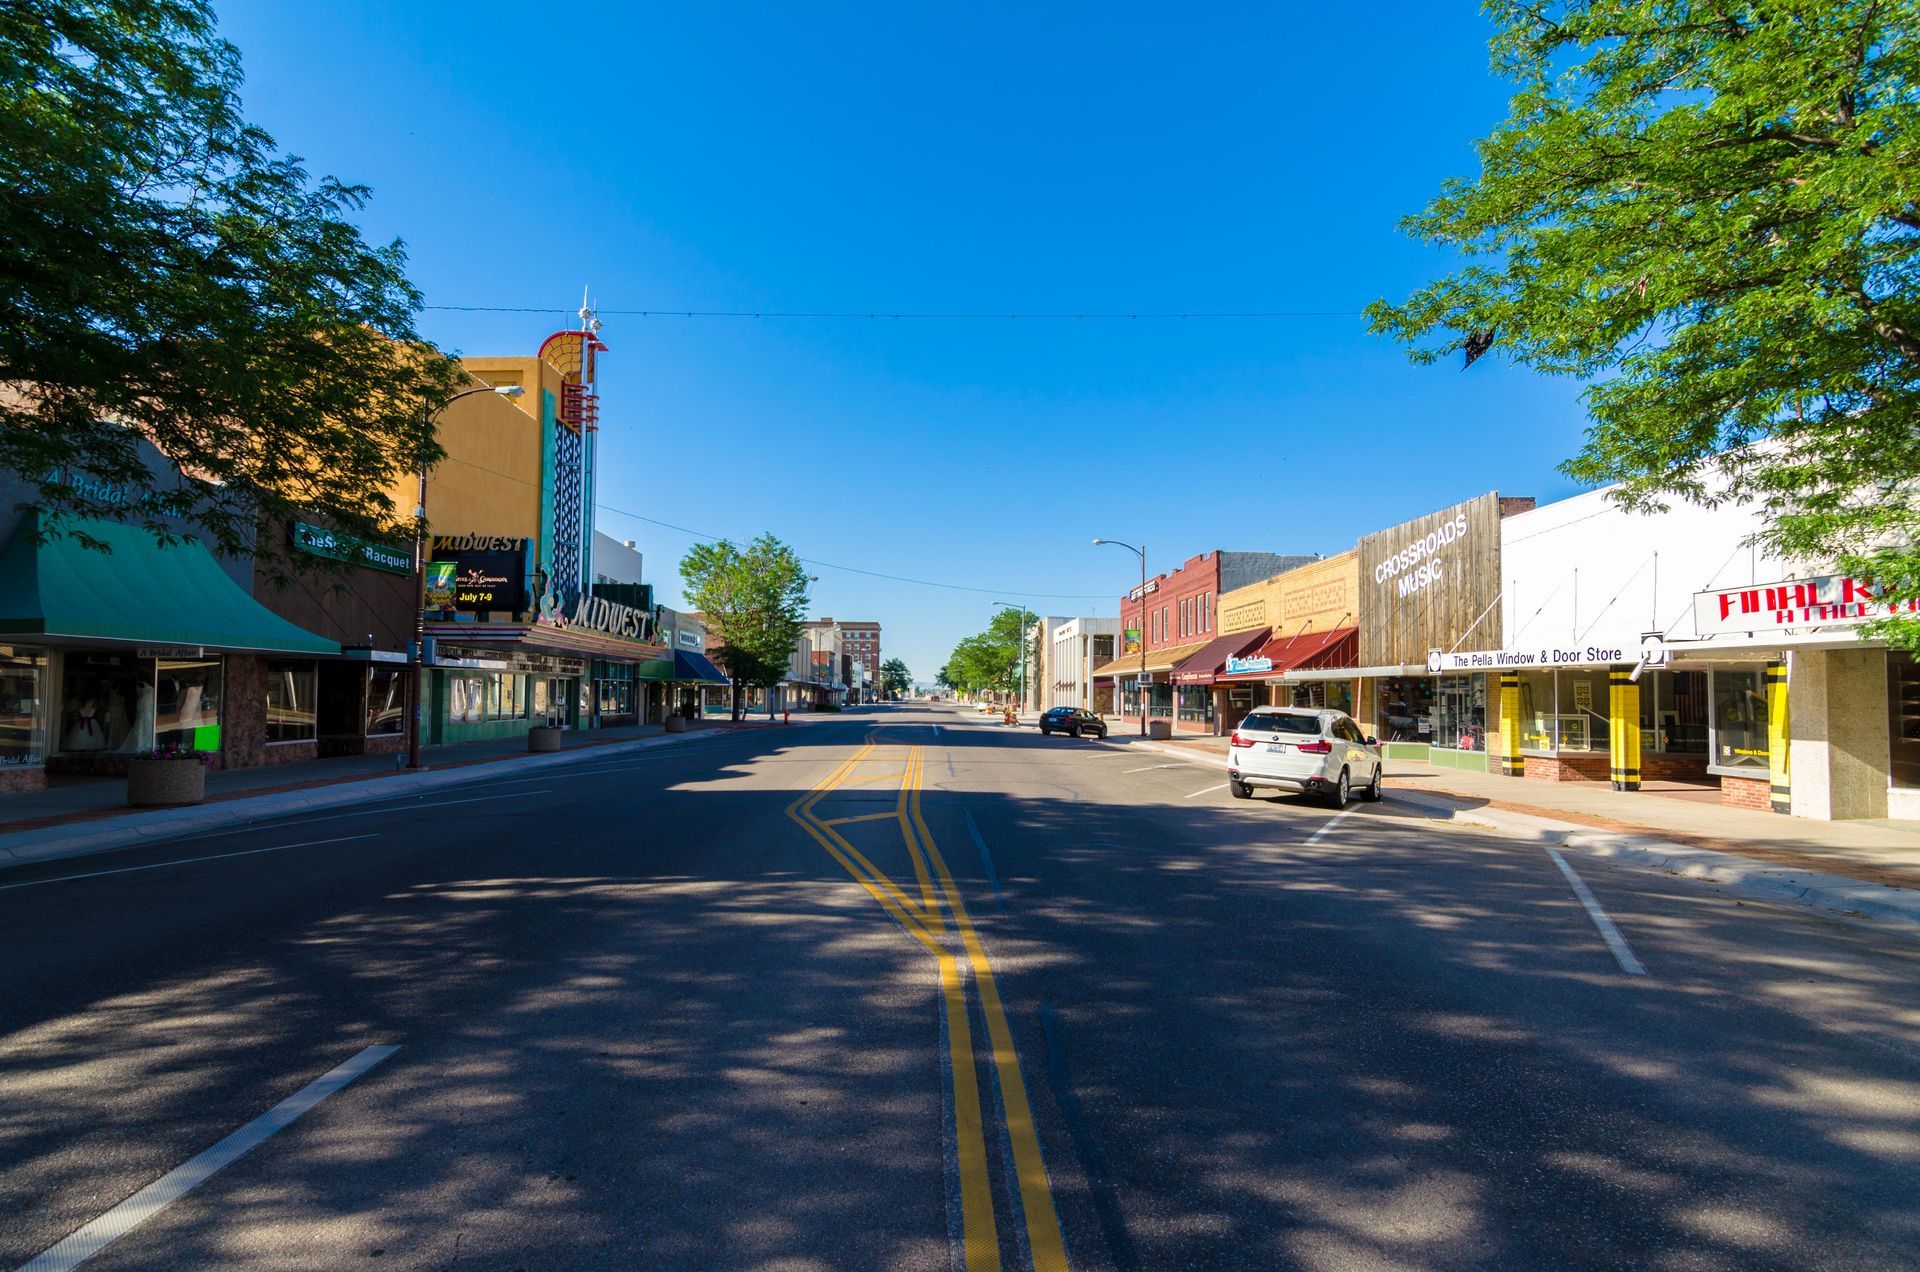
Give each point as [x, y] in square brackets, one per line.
[1737, 875]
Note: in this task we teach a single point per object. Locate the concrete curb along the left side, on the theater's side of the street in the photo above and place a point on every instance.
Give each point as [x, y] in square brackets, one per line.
[135, 829]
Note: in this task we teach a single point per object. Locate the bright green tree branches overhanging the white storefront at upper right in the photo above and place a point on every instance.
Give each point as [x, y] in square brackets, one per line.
[1712, 214]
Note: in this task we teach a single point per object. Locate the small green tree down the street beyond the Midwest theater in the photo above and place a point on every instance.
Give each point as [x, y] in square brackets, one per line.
[754, 600]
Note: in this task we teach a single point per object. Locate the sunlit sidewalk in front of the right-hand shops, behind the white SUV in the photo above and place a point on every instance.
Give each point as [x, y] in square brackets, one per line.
[1677, 831]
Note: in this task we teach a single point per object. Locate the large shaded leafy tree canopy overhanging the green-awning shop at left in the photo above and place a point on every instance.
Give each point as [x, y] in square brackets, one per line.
[170, 276]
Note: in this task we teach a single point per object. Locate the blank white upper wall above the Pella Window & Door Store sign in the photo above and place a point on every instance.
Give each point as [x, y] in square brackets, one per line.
[1587, 572]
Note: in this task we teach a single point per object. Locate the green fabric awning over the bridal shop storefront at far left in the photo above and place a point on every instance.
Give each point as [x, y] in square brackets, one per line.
[139, 593]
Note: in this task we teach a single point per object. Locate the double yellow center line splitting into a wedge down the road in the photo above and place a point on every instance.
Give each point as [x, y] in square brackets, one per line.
[921, 912]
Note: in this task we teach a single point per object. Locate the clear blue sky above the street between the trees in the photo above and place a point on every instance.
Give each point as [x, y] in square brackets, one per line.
[903, 159]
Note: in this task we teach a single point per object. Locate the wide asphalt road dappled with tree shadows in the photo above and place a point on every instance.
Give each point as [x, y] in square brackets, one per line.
[911, 991]
